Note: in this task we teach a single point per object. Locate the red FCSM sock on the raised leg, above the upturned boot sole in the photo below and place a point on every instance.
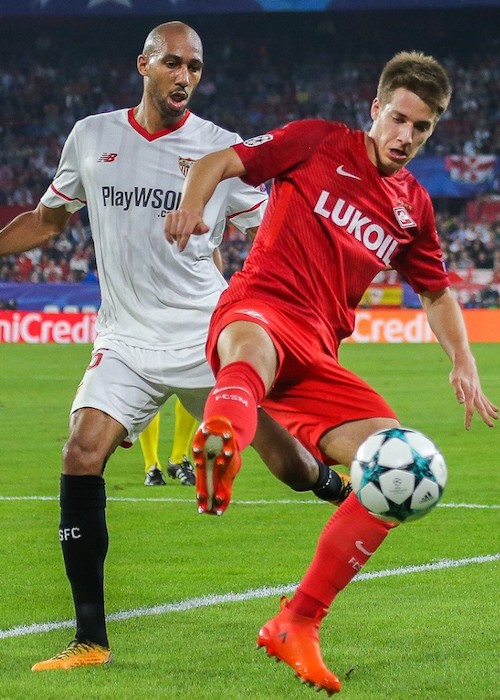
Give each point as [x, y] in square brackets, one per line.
[237, 393]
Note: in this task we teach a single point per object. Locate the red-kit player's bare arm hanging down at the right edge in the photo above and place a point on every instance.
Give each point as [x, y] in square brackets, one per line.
[446, 321]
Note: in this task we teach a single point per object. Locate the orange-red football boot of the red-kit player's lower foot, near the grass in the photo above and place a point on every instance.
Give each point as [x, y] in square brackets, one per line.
[294, 639]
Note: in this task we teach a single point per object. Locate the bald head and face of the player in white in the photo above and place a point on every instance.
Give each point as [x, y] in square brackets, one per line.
[172, 73]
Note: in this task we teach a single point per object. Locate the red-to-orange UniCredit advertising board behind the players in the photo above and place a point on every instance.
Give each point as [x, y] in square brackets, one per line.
[372, 326]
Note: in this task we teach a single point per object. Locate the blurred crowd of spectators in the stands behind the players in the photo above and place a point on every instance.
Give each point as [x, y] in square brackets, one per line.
[254, 80]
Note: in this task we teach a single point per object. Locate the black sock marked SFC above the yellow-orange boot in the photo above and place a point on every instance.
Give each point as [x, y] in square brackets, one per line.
[84, 539]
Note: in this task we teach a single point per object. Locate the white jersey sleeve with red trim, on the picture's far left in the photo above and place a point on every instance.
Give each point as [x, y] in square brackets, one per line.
[66, 187]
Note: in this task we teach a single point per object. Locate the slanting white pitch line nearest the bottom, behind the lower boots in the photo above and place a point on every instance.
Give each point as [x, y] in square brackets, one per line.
[252, 594]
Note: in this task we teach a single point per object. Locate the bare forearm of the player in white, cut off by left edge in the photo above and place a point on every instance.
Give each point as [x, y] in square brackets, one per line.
[32, 228]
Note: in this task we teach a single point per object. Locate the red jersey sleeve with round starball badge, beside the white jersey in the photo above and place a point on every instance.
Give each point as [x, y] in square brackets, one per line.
[279, 150]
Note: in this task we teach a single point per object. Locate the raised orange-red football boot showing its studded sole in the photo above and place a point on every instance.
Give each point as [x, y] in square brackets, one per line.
[217, 461]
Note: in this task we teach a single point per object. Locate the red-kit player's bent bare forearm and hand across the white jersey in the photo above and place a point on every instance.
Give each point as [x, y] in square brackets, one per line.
[203, 178]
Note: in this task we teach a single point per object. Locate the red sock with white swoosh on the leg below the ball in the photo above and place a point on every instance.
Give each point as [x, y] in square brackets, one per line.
[348, 540]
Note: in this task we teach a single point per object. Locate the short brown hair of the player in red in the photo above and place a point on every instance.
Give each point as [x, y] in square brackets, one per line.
[421, 74]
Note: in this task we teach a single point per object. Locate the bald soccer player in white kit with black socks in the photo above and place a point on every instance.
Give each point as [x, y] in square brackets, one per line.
[128, 167]
